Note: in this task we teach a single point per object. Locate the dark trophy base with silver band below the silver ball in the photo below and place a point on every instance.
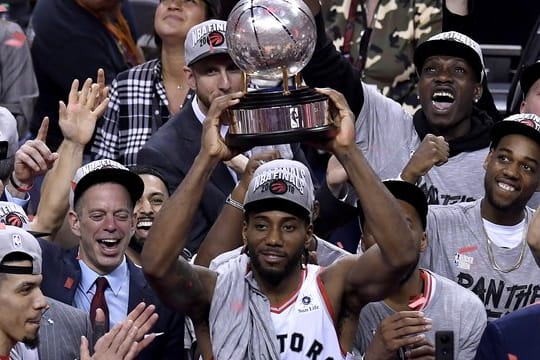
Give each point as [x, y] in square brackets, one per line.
[269, 118]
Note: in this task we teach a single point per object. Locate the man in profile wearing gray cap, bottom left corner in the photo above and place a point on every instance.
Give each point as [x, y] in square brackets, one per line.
[22, 301]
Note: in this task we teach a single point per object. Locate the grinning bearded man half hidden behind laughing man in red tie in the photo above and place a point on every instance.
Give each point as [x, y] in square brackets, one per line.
[146, 208]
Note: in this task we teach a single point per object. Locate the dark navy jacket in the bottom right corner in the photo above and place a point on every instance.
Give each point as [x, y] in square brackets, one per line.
[517, 334]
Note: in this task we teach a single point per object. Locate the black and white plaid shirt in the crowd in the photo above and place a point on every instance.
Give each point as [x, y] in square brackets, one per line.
[138, 106]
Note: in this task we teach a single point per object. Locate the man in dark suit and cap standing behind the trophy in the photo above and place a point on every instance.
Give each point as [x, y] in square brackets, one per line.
[210, 72]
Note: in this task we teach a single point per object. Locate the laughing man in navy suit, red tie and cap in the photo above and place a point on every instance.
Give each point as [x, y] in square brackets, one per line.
[102, 198]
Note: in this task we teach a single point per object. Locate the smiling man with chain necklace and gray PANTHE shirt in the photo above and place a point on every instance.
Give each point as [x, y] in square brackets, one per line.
[482, 245]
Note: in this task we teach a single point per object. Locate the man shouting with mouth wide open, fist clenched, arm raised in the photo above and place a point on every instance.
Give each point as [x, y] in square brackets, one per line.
[442, 146]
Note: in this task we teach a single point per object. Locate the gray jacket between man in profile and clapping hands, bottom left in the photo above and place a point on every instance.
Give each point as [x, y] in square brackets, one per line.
[59, 334]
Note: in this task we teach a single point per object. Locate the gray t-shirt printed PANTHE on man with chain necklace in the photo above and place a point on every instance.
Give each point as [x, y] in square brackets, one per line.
[457, 249]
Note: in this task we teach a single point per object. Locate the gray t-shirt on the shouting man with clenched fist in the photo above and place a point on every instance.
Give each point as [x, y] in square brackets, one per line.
[386, 135]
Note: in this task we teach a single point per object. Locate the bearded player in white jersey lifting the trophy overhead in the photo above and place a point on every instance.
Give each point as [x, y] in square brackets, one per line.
[270, 304]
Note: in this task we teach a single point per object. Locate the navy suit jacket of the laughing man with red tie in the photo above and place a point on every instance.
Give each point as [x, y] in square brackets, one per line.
[61, 276]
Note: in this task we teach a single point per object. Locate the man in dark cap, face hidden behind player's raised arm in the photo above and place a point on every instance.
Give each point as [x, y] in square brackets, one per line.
[390, 327]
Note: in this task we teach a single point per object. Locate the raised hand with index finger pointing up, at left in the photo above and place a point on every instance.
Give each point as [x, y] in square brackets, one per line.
[33, 158]
